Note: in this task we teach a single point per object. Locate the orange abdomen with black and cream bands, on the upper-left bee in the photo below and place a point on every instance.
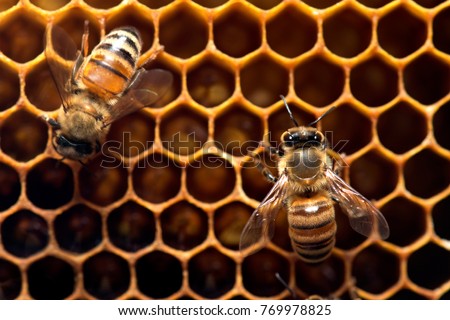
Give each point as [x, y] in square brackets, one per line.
[112, 63]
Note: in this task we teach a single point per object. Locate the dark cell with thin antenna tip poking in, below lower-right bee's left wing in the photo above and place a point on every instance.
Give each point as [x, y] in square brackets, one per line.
[258, 273]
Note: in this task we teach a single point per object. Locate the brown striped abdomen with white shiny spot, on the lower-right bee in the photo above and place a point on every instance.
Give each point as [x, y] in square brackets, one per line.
[312, 226]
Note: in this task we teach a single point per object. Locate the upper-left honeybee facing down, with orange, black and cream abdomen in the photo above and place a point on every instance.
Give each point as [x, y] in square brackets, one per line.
[99, 88]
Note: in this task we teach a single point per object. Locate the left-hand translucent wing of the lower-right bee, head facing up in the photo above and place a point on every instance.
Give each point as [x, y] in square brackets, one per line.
[260, 226]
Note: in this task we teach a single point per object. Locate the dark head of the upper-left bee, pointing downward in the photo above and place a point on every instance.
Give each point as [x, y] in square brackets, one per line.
[75, 150]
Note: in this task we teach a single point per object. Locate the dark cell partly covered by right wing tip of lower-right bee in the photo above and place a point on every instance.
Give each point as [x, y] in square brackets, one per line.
[406, 220]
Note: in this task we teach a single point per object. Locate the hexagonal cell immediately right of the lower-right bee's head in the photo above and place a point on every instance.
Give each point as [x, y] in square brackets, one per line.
[346, 129]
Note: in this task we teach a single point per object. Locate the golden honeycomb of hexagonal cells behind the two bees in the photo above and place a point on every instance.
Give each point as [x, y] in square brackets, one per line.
[163, 218]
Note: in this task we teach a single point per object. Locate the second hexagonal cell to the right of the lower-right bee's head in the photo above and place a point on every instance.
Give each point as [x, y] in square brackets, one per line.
[401, 128]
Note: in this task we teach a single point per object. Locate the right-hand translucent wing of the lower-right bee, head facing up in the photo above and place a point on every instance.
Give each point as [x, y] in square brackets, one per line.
[363, 215]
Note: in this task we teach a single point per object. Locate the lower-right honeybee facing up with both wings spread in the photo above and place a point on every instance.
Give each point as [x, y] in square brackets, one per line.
[306, 187]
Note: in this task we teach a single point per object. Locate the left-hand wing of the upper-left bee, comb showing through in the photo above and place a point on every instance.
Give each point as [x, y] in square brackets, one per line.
[61, 53]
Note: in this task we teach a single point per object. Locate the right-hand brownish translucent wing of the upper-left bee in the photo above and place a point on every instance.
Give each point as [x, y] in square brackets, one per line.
[148, 87]
